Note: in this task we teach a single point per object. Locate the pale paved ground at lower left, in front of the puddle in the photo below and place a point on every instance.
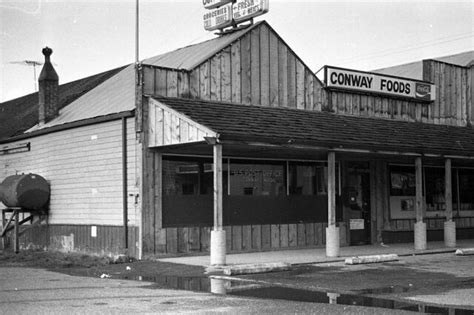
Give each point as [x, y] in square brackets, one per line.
[36, 291]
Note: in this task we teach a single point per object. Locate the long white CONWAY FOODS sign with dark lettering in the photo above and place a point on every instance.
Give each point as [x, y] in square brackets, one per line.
[345, 79]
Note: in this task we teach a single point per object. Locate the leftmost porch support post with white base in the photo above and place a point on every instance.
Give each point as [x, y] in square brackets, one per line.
[218, 239]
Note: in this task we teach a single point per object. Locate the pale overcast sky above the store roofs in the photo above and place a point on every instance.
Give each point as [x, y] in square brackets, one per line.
[89, 37]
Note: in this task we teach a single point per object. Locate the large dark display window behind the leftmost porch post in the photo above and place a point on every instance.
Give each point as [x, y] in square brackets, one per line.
[255, 192]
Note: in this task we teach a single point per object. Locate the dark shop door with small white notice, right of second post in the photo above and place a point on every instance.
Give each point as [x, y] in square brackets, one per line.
[358, 194]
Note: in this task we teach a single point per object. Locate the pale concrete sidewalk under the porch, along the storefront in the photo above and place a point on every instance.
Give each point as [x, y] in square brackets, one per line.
[318, 255]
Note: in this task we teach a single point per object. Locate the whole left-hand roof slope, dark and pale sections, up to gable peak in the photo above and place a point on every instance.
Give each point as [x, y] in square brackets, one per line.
[105, 93]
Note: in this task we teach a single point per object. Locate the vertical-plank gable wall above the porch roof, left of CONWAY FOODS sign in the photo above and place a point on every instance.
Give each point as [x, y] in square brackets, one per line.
[258, 69]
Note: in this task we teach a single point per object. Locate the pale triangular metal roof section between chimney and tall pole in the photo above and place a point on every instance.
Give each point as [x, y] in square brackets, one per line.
[115, 95]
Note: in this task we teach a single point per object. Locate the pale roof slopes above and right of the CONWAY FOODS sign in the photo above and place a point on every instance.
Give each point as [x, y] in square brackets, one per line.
[414, 70]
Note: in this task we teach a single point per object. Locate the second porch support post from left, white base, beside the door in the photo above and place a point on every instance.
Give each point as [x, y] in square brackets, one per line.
[332, 231]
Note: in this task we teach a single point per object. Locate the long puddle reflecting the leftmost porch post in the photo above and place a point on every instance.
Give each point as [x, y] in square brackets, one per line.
[249, 288]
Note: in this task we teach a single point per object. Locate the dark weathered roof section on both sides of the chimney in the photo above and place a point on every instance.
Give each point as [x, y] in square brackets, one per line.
[20, 114]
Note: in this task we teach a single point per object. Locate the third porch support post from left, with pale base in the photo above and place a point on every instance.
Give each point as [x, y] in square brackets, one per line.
[420, 226]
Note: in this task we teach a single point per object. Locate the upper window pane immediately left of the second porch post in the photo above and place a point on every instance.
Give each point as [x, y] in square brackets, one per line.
[307, 179]
